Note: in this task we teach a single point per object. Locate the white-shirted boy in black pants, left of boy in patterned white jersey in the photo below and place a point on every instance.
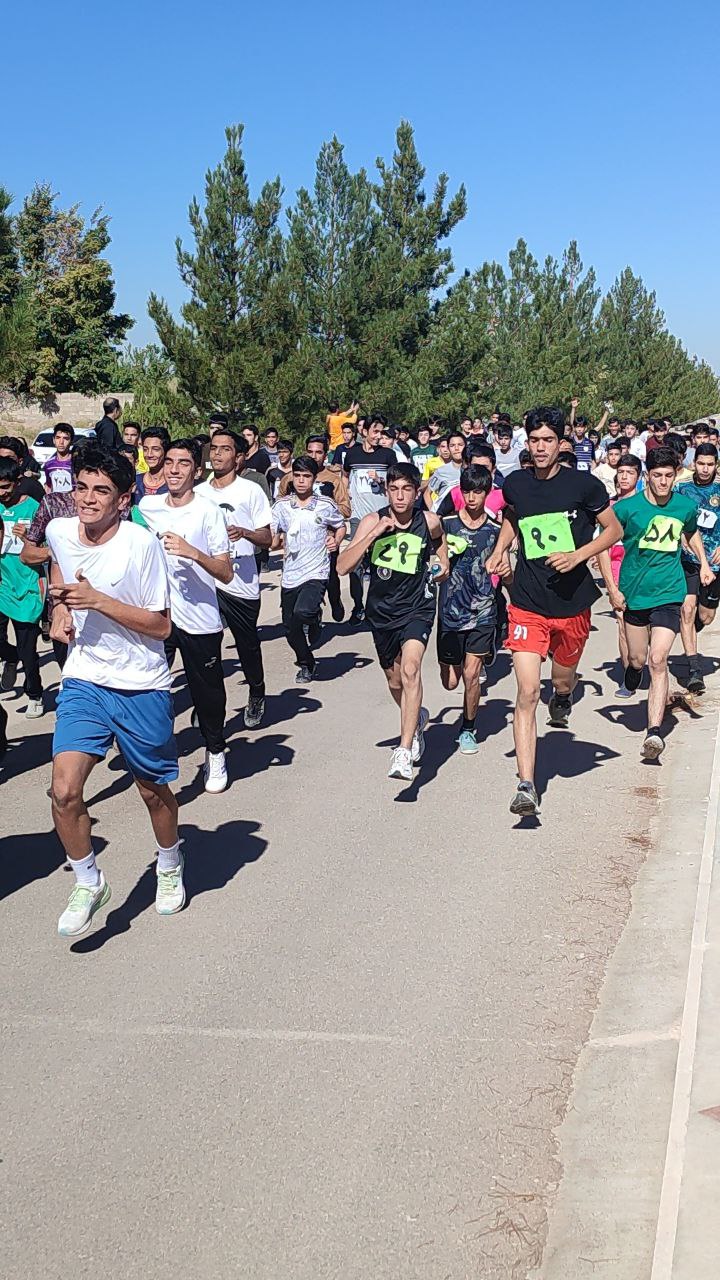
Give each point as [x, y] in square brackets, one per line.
[247, 513]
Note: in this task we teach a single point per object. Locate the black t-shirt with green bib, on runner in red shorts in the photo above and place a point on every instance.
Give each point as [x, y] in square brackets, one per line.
[557, 515]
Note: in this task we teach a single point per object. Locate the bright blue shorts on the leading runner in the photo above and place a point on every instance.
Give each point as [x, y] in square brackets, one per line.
[90, 717]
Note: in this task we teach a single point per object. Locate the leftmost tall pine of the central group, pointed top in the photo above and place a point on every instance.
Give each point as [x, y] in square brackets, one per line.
[236, 330]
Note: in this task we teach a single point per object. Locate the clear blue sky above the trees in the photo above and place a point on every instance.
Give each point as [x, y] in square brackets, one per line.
[564, 121]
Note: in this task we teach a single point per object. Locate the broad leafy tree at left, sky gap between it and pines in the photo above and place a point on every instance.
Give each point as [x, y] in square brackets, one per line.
[78, 332]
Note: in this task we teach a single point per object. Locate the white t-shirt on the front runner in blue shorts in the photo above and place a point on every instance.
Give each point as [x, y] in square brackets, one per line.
[131, 569]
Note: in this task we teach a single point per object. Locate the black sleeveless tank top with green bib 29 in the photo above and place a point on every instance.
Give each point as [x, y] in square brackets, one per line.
[402, 587]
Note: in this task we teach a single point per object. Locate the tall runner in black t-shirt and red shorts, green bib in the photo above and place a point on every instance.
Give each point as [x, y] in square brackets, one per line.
[553, 513]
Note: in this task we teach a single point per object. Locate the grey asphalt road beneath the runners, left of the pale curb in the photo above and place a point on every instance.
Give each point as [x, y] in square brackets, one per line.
[348, 1057]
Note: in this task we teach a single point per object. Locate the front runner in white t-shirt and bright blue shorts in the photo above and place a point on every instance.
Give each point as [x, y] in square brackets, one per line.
[112, 607]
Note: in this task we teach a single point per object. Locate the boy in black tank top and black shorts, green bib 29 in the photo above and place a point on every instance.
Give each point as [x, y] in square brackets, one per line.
[402, 600]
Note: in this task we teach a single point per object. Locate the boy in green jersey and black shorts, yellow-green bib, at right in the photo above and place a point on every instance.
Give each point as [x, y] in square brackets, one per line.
[653, 583]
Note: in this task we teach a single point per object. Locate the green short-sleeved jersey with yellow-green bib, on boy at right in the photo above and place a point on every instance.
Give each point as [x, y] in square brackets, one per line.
[651, 573]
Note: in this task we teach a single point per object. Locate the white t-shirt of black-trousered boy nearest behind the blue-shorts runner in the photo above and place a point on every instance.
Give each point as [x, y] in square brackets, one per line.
[194, 598]
